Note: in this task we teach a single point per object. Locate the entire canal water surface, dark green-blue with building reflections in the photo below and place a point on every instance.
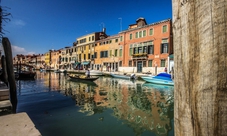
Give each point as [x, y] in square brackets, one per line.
[108, 106]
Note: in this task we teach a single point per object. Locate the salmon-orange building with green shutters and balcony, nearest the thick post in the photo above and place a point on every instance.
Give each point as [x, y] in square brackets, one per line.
[145, 47]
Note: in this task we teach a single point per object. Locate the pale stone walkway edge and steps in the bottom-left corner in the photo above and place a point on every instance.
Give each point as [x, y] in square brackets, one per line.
[18, 124]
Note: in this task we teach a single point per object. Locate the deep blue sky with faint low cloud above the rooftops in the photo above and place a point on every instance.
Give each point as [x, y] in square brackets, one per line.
[37, 26]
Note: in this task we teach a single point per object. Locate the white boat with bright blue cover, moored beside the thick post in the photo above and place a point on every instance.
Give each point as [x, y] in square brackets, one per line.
[162, 78]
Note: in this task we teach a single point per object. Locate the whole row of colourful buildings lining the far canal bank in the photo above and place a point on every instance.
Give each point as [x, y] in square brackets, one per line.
[141, 48]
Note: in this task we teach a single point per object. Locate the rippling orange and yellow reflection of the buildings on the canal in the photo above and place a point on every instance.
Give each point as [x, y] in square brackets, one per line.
[143, 106]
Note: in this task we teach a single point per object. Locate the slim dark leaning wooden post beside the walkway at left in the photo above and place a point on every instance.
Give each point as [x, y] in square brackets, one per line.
[11, 77]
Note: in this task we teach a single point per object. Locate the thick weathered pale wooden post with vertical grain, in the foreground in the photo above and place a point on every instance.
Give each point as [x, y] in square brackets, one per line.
[200, 67]
